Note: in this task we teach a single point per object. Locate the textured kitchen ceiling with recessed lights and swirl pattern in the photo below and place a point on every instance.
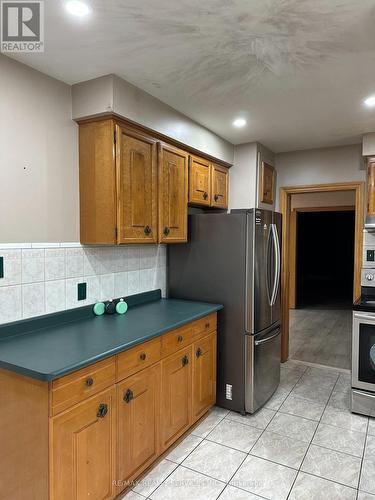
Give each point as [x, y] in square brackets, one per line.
[297, 70]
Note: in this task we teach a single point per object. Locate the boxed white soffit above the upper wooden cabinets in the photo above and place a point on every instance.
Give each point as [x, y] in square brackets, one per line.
[113, 94]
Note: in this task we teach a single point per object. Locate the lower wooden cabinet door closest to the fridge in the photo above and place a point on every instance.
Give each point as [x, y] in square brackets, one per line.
[204, 375]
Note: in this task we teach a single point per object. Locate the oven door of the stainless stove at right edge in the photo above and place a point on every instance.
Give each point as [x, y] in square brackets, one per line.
[363, 369]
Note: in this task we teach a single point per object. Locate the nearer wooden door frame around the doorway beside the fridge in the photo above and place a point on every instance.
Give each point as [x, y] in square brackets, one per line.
[285, 208]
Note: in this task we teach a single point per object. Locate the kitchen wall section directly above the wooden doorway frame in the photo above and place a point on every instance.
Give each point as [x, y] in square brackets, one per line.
[319, 166]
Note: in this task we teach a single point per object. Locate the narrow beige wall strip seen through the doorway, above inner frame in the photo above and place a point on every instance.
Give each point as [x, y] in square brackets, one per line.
[334, 199]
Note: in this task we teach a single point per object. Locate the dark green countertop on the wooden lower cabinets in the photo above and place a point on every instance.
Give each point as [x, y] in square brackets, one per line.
[48, 349]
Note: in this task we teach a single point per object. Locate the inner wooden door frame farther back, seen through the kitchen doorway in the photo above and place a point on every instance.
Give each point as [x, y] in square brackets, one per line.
[293, 234]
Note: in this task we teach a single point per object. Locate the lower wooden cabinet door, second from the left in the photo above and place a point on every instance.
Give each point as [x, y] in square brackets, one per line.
[138, 399]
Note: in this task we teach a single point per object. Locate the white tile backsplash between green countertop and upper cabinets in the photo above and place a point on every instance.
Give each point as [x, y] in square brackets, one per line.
[42, 277]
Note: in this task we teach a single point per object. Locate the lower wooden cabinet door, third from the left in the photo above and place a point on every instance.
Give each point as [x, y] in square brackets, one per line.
[176, 396]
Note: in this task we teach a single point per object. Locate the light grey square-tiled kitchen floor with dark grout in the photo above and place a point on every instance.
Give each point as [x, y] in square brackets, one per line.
[304, 445]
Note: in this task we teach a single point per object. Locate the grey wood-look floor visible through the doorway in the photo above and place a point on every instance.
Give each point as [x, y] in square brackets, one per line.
[321, 336]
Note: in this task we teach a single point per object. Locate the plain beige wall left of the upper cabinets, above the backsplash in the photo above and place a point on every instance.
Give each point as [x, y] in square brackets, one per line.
[38, 157]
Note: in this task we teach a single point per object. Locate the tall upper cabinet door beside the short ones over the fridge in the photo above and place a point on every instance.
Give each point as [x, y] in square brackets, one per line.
[173, 194]
